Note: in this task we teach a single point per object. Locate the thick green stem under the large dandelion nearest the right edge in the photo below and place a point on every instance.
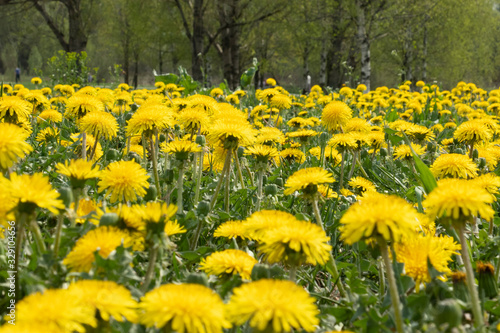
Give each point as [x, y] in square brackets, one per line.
[476, 306]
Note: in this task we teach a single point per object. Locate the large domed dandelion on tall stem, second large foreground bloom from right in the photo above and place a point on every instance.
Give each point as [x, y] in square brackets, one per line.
[387, 216]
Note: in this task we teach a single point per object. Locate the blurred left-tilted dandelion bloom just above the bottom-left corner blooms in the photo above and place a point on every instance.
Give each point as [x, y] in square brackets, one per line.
[104, 240]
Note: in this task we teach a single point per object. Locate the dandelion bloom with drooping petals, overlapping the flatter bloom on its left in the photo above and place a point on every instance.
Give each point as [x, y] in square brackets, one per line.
[296, 242]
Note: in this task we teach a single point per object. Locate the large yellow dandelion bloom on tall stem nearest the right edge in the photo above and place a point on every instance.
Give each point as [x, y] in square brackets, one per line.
[458, 198]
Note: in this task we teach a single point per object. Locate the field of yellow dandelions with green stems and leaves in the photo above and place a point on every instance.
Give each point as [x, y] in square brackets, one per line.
[203, 211]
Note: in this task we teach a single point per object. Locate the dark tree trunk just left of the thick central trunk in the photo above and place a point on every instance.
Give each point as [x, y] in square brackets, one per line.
[197, 41]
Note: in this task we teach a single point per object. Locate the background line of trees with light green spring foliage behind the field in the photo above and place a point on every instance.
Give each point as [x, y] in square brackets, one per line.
[375, 42]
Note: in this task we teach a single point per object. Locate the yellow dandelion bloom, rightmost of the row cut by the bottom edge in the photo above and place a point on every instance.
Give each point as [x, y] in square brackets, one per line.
[273, 305]
